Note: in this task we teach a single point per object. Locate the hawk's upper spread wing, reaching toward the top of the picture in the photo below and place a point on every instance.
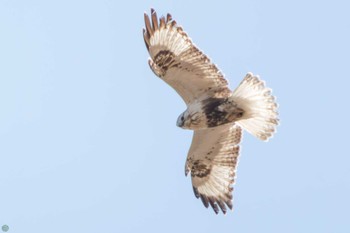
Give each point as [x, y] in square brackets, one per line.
[176, 60]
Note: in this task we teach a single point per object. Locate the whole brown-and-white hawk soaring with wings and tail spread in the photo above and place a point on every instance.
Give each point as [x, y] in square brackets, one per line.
[216, 114]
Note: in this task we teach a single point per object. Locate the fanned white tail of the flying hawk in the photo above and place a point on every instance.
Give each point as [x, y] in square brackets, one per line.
[260, 108]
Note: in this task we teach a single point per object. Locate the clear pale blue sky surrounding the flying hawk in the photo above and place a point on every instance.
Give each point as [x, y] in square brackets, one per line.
[88, 141]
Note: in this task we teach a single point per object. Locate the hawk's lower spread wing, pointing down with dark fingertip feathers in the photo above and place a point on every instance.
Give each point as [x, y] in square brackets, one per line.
[212, 161]
